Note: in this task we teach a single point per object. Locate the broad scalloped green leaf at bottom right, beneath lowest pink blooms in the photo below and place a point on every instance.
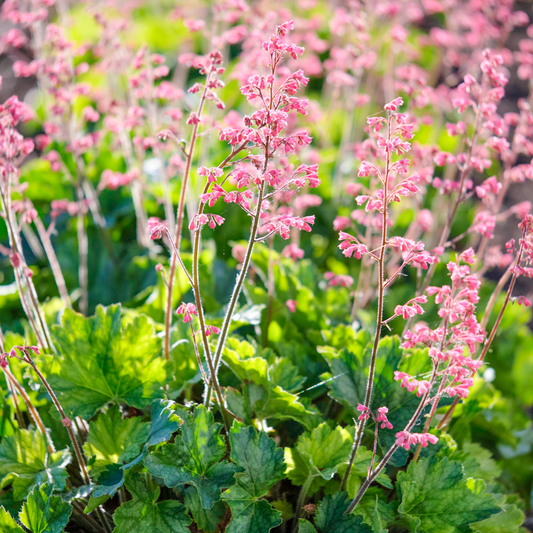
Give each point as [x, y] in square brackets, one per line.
[435, 497]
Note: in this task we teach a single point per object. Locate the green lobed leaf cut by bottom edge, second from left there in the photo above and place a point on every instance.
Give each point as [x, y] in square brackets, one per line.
[143, 514]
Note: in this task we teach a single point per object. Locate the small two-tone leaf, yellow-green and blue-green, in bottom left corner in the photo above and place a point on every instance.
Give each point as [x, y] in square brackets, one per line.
[44, 513]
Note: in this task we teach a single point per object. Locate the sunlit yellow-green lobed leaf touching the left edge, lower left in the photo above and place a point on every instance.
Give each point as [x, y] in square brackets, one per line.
[25, 462]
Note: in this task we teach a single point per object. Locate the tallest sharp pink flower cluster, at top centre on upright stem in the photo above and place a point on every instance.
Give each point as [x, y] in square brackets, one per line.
[256, 178]
